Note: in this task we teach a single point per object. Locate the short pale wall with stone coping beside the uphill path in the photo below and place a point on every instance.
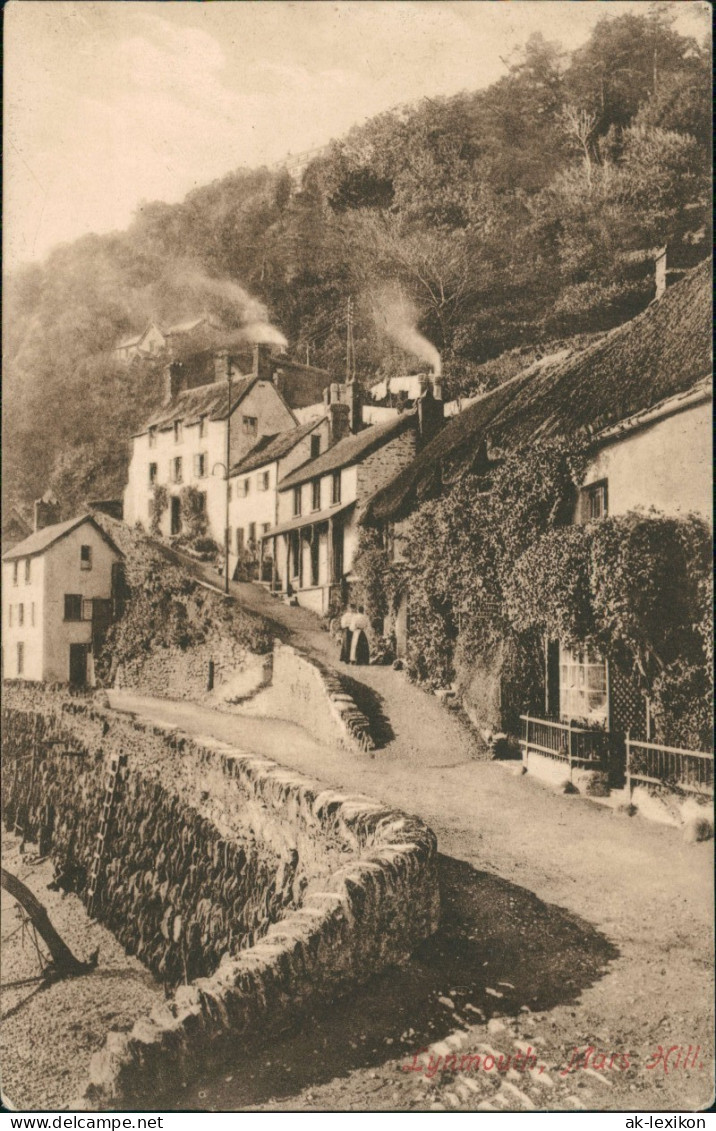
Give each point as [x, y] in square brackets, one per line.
[320, 702]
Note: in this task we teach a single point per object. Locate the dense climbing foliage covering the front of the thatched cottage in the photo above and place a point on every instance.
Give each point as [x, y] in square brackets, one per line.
[495, 567]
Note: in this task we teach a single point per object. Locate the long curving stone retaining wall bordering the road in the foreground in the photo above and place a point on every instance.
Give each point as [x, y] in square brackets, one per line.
[359, 883]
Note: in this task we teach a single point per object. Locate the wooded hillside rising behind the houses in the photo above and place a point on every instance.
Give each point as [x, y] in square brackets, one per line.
[489, 225]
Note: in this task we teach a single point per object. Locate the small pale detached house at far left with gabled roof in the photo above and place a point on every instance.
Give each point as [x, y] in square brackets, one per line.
[57, 602]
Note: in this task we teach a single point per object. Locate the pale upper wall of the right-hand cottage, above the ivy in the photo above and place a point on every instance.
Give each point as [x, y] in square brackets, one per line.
[667, 465]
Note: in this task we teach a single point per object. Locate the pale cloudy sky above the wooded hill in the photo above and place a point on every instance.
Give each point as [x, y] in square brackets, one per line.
[116, 102]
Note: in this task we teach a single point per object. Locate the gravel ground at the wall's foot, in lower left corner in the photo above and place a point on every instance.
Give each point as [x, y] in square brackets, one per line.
[50, 1033]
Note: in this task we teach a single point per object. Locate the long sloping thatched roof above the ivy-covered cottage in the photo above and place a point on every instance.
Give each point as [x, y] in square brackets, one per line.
[662, 352]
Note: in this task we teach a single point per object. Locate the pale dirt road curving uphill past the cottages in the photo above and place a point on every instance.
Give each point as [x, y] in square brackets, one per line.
[566, 926]
